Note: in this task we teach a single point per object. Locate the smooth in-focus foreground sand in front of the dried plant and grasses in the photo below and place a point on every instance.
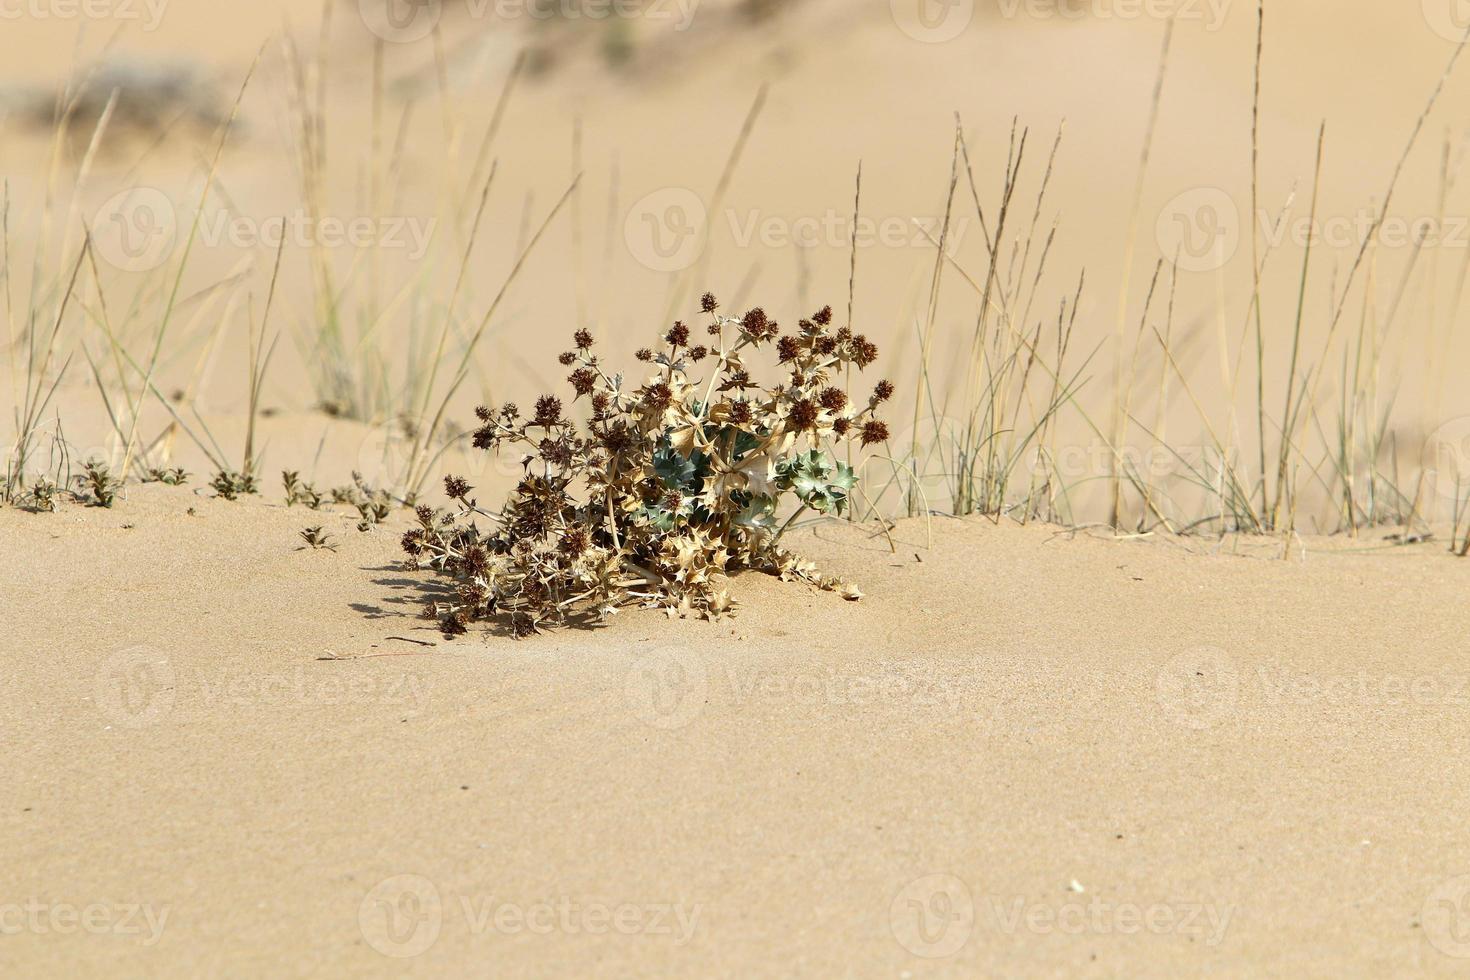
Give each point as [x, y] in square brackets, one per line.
[1024, 754]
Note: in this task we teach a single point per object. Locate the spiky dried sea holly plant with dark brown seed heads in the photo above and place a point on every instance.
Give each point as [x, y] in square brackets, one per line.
[671, 484]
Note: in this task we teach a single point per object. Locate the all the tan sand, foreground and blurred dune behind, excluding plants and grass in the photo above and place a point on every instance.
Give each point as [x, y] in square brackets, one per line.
[1027, 753]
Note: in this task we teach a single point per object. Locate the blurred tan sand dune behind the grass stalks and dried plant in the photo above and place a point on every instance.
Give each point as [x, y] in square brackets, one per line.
[377, 115]
